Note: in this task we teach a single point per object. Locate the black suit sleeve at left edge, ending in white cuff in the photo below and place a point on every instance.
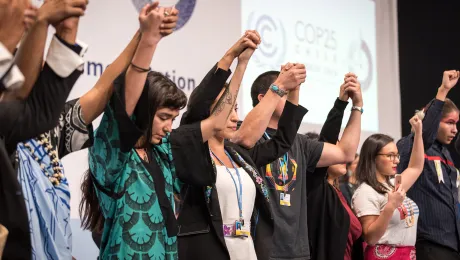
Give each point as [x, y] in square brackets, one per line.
[22, 120]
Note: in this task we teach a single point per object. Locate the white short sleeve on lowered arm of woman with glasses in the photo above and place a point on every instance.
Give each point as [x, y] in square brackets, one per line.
[366, 202]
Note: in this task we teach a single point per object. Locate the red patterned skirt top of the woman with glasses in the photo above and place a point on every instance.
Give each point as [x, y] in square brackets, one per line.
[389, 252]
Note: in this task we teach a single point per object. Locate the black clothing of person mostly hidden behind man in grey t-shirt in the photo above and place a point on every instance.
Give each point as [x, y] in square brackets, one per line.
[328, 220]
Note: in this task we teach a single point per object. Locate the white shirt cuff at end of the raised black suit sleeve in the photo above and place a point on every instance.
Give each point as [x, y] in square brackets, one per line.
[62, 60]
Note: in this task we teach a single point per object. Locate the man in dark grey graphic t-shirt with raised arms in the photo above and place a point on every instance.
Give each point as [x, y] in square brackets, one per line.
[286, 177]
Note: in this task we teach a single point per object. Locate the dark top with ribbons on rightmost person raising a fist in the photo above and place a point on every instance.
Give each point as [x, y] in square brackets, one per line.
[437, 199]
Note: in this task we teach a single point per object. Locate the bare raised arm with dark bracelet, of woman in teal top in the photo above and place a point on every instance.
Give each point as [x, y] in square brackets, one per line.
[150, 19]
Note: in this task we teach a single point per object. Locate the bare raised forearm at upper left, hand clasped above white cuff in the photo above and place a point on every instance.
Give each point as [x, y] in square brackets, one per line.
[29, 57]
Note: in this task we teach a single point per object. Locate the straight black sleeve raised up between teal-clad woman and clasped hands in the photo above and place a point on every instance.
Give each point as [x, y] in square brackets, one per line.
[203, 96]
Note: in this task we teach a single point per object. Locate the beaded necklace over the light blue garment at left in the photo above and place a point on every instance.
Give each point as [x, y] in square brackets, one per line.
[43, 140]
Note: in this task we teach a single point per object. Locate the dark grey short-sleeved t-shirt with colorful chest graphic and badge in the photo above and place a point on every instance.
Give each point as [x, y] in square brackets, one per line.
[287, 183]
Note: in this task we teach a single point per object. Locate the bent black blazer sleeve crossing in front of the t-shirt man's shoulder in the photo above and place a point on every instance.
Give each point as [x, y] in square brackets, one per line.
[288, 125]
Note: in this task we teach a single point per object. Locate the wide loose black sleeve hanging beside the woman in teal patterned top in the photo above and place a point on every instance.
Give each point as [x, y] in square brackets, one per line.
[191, 156]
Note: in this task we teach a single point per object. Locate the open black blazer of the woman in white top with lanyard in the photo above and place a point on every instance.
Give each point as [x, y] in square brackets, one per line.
[200, 221]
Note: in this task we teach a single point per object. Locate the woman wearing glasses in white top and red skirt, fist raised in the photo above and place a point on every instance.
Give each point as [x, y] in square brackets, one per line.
[388, 217]
